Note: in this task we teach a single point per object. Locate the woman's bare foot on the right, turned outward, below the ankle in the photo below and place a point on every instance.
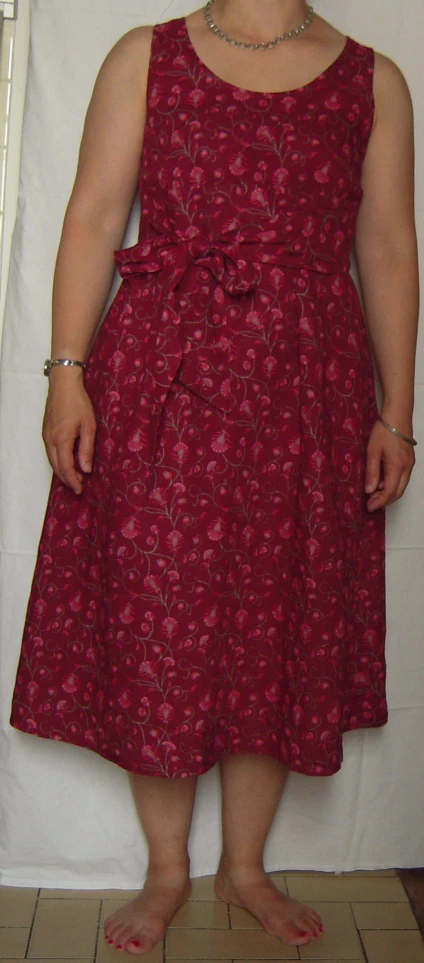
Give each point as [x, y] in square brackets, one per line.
[280, 915]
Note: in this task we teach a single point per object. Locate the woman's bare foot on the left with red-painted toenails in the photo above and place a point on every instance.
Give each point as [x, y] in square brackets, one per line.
[140, 924]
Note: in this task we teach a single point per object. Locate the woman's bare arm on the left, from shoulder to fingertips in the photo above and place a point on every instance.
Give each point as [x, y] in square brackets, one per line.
[94, 224]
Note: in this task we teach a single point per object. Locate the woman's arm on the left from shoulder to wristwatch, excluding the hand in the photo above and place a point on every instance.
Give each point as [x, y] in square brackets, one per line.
[102, 196]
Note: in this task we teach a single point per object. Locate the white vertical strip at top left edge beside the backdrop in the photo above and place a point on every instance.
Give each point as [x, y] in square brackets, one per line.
[13, 72]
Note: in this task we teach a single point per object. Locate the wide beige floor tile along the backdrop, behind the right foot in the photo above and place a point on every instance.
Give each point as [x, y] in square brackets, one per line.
[383, 889]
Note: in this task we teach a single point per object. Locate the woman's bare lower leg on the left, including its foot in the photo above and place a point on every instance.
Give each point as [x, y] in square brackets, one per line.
[165, 808]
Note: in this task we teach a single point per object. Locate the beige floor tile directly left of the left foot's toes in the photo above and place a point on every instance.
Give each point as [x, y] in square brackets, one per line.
[64, 928]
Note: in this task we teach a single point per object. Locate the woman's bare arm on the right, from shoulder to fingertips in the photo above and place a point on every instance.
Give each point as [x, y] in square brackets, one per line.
[386, 252]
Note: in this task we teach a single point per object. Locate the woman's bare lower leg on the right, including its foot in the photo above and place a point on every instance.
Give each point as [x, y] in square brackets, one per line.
[251, 790]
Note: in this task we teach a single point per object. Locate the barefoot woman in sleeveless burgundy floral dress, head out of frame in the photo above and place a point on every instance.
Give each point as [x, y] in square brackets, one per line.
[210, 578]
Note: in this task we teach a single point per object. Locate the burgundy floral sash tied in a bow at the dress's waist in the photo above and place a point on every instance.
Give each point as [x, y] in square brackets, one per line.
[237, 268]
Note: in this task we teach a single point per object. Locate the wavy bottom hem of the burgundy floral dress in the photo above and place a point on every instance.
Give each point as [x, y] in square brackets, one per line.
[200, 772]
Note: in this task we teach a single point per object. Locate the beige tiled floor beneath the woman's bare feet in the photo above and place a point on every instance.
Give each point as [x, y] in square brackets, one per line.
[367, 919]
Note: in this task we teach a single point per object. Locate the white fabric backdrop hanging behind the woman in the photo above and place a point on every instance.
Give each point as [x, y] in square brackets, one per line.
[67, 815]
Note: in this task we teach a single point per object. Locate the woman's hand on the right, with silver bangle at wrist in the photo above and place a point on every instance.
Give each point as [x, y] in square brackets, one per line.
[397, 457]
